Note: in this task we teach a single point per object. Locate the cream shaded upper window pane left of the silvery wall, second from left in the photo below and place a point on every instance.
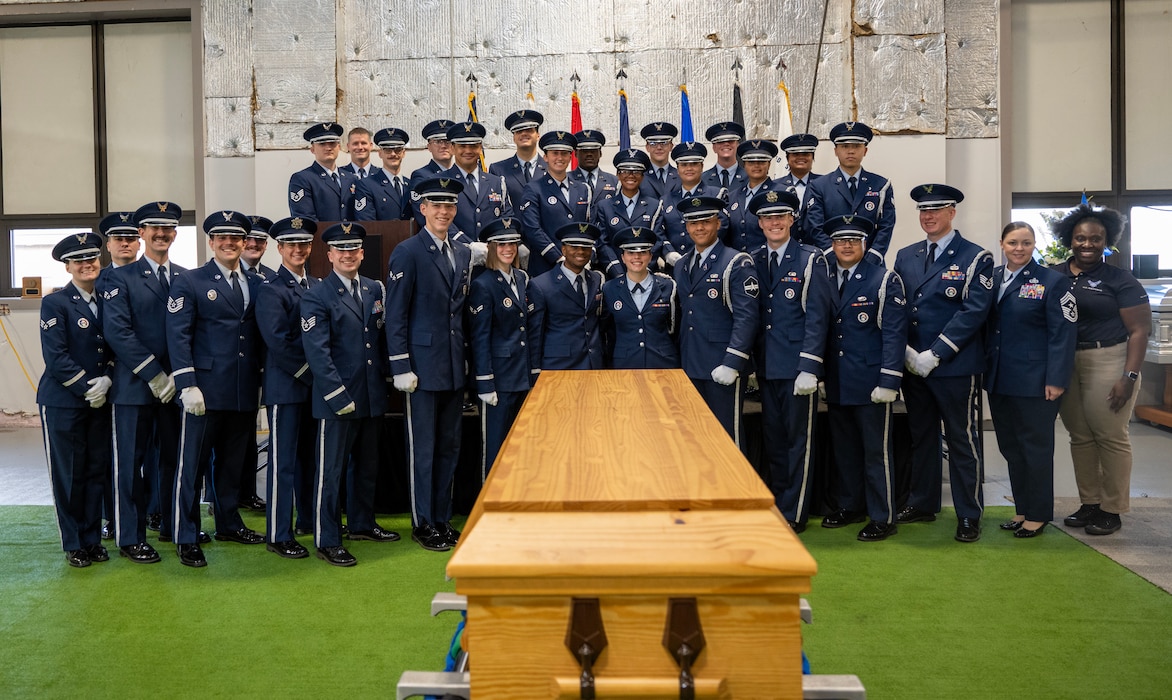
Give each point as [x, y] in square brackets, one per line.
[149, 114]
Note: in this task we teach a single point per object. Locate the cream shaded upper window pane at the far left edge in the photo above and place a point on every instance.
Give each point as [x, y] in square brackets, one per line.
[47, 119]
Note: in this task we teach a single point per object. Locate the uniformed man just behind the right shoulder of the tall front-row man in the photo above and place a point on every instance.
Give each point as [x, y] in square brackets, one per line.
[485, 198]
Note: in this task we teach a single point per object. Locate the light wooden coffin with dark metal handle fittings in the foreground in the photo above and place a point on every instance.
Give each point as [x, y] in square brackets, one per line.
[622, 542]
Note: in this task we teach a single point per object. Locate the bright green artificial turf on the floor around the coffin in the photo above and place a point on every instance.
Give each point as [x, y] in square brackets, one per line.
[918, 616]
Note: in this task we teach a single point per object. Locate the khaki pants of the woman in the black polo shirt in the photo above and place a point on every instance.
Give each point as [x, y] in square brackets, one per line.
[1100, 444]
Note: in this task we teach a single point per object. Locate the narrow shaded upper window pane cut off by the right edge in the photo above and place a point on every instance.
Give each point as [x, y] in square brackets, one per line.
[1148, 25]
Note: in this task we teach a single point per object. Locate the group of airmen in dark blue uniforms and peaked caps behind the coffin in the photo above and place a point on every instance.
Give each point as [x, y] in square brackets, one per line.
[523, 267]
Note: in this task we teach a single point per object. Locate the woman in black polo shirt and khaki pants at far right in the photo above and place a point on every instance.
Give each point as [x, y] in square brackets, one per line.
[1114, 323]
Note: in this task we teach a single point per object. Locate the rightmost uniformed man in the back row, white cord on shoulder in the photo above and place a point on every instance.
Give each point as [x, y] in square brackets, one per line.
[851, 191]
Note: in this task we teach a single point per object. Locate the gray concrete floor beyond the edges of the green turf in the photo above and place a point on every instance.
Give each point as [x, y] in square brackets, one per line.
[1143, 546]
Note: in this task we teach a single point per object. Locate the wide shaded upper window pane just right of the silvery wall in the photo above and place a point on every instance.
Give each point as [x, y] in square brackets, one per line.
[1061, 111]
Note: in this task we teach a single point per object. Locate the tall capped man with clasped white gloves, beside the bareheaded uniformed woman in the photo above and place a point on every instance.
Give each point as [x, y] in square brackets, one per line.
[950, 291]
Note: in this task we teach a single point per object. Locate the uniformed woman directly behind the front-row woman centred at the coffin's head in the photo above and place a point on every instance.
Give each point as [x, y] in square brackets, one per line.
[630, 207]
